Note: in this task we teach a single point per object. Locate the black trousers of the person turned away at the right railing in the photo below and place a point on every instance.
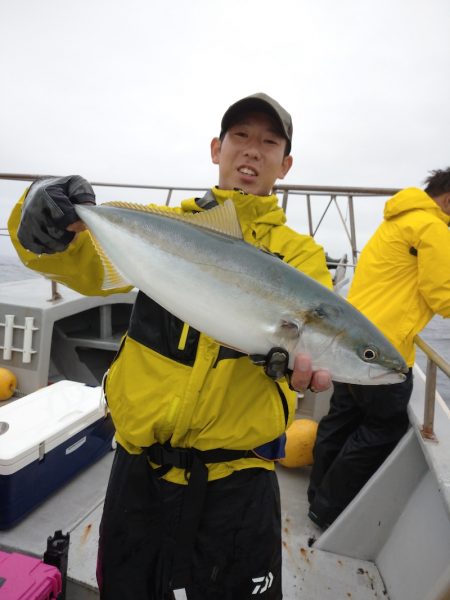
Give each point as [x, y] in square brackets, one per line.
[363, 426]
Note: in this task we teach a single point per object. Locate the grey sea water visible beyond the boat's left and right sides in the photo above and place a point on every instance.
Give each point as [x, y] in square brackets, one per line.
[436, 334]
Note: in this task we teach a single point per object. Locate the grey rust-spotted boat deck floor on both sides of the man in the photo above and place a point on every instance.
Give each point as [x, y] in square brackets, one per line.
[308, 573]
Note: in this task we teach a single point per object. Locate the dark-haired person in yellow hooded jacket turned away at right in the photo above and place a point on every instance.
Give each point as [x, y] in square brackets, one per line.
[402, 279]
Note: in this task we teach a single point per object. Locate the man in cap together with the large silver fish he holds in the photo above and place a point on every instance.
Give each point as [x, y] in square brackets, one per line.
[234, 314]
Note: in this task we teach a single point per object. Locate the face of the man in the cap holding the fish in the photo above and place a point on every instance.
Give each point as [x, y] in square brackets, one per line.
[251, 155]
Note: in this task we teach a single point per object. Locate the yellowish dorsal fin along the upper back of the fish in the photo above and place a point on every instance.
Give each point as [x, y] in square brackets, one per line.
[221, 218]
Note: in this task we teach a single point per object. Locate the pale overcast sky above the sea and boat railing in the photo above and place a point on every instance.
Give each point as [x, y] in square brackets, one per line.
[133, 91]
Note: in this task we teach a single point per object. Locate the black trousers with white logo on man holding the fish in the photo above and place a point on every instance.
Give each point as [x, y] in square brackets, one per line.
[237, 549]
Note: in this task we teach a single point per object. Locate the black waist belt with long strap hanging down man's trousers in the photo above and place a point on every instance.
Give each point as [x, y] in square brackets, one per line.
[194, 462]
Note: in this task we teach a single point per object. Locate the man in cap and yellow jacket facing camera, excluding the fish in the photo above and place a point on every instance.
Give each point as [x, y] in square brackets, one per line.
[192, 500]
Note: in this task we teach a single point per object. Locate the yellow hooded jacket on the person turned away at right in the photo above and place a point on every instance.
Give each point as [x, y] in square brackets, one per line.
[403, 275]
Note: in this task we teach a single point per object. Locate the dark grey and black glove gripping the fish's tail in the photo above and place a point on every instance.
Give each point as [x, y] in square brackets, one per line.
[48, 210]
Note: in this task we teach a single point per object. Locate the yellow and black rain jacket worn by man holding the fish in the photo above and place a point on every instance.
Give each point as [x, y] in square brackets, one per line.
[170, 381]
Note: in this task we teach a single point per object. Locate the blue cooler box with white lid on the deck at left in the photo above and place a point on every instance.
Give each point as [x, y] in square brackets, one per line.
[46, 438]
